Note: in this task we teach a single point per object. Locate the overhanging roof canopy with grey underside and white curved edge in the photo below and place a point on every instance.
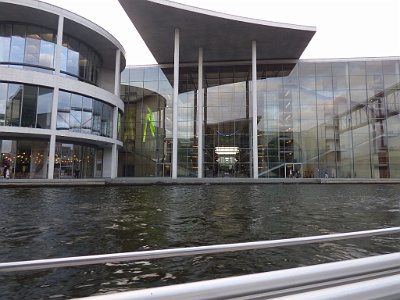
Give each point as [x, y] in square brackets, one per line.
[223, 37]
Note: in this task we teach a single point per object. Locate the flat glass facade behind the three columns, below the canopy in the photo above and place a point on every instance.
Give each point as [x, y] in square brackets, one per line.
[336, 118]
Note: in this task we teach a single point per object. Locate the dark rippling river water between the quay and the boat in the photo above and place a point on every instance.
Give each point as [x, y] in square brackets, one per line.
[41, 223]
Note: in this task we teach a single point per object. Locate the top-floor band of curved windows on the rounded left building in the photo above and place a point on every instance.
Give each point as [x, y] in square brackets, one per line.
[33, 47]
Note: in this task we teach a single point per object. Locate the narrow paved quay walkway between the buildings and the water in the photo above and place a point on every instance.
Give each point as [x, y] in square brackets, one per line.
[136, 181]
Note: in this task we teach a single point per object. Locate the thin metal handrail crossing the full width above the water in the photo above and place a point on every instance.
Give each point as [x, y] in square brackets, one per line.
[180, 252]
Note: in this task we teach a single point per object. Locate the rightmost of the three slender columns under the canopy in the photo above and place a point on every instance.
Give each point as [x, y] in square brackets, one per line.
[254, 111]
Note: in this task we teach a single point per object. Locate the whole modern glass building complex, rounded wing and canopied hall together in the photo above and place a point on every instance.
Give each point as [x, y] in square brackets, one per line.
[229, 97]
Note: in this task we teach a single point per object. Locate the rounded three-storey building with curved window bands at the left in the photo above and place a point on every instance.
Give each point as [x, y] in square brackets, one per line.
[59, 96]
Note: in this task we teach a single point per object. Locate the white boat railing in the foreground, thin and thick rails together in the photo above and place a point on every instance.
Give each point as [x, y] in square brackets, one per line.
[376, 277]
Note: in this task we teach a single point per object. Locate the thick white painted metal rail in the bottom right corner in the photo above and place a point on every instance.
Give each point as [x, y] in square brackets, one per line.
[359, 279]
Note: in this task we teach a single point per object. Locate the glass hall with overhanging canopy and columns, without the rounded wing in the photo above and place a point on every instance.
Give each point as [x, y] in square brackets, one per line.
[231, 98]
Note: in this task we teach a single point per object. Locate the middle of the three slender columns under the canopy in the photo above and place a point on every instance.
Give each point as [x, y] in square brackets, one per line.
[200, 108]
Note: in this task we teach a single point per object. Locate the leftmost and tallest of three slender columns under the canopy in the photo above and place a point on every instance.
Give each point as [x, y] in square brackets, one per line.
[175, 108]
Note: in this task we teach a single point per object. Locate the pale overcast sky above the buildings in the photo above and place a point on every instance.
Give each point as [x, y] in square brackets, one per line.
[345, 28]
